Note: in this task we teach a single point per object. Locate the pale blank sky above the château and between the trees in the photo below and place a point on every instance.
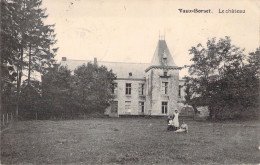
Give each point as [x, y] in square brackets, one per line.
[128, 30]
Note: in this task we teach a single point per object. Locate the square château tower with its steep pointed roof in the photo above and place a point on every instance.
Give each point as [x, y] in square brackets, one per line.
[162, 82]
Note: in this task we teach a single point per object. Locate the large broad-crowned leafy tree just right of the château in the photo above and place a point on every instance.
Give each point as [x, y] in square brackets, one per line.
[216, 76]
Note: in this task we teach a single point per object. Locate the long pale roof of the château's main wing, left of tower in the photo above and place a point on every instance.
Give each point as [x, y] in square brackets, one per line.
[121, 69]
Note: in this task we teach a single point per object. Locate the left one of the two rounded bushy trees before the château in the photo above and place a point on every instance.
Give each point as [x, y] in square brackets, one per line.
[56, 91]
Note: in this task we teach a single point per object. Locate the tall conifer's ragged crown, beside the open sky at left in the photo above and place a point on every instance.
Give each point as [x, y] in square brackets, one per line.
[39, 38]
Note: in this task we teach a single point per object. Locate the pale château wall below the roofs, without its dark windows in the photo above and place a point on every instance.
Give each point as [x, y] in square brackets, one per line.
[153, 96]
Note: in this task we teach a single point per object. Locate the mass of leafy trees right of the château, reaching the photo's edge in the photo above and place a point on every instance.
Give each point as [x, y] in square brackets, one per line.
[220, 80]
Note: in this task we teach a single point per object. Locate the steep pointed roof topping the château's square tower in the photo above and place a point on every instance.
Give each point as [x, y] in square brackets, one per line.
[162, 52]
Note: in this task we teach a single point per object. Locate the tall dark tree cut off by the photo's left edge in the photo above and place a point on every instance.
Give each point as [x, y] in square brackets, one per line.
[9, 51]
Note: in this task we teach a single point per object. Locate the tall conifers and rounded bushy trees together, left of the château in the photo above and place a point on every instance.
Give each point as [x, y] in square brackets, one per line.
[31, 80]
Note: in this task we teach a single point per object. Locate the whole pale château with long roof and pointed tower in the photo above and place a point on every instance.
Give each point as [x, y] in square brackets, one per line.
[143, 89]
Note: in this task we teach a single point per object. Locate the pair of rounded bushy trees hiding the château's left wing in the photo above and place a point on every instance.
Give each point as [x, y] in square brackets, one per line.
[87, 91]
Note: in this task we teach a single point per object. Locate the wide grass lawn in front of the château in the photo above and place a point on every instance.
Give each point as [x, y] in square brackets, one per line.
[129, 141]
